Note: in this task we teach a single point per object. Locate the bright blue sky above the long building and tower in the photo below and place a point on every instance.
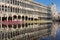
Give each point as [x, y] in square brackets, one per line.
[47, 2]
